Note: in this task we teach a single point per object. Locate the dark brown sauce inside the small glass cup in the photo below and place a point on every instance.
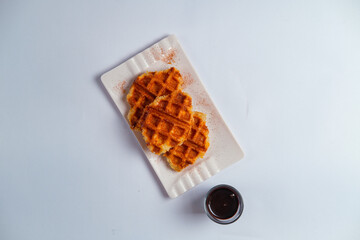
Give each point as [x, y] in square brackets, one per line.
[222, 203]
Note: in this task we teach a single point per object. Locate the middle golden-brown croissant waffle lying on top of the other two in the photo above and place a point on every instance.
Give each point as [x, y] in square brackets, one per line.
[167, 121]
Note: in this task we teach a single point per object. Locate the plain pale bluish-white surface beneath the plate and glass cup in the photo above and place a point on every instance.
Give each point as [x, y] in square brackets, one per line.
[285, 76]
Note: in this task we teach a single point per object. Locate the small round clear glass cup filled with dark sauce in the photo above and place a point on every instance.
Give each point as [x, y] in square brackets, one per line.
[223, 204]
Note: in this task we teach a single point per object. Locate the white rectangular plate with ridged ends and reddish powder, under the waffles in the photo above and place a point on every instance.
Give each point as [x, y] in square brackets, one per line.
[223, 150]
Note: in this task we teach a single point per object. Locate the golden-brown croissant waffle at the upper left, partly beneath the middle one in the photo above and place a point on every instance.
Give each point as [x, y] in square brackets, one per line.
[146, 88]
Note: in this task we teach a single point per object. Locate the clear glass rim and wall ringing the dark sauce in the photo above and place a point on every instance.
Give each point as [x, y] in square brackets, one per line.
[238, 212]
